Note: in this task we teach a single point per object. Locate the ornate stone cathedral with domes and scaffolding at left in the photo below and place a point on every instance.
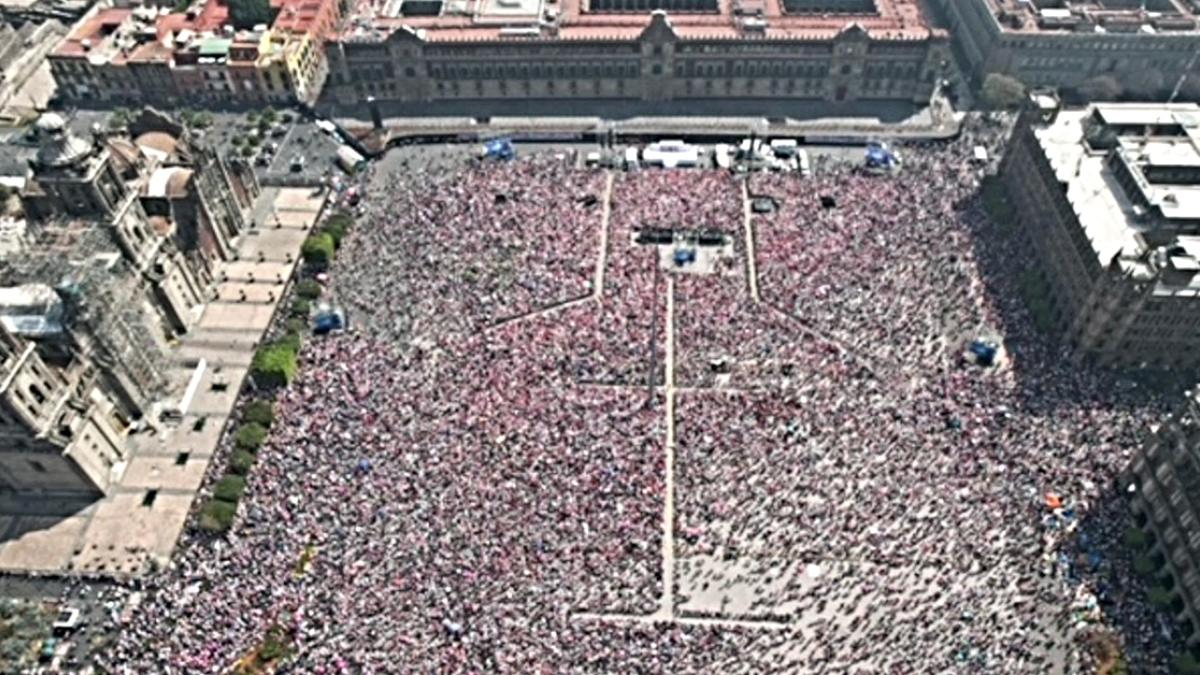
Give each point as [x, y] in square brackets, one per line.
[123, 231]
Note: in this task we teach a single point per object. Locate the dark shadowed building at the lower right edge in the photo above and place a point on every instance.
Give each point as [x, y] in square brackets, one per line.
[1165, 483]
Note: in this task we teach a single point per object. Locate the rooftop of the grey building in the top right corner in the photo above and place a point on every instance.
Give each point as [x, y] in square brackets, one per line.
[1095, 16]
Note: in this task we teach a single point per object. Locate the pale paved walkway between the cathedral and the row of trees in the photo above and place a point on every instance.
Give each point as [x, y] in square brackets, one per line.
[121, 535]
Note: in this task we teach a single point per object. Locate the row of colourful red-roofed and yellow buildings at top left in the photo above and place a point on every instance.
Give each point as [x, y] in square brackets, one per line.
[151, 55]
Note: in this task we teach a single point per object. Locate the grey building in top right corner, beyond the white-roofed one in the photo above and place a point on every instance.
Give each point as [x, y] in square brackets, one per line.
[1144, 45]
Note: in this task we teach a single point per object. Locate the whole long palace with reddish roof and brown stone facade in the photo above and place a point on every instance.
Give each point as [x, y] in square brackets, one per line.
[639, 50]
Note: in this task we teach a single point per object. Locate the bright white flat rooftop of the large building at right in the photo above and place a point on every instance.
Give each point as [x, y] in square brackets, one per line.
[1132, 174]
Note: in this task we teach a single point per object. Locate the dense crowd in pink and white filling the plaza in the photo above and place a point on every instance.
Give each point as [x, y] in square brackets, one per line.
[459, 486]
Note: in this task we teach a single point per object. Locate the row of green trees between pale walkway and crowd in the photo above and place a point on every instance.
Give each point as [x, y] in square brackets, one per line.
[275, 366]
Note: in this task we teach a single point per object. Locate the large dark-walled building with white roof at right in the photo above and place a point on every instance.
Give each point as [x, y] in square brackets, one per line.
[1109, 199]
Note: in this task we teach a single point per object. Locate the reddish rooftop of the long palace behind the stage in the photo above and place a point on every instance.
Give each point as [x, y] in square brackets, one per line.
[470, 21]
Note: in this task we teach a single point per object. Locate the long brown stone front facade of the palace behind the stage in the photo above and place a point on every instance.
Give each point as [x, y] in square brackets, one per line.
[659, 63]
